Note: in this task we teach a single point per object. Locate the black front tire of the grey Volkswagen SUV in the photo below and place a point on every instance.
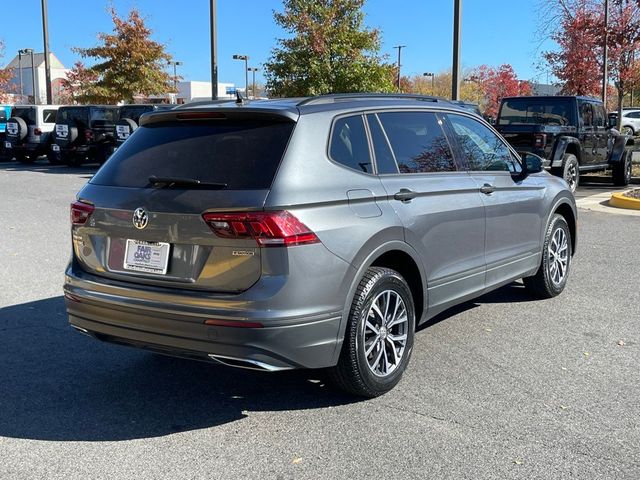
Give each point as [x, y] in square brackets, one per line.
[543, 284]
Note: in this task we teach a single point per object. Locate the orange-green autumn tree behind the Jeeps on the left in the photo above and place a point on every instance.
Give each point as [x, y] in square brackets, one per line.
[128, 64]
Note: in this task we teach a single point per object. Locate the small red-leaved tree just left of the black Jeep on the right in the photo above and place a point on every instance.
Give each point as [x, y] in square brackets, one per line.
[498, 83]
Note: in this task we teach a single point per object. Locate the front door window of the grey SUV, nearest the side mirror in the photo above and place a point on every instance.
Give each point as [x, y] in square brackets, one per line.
[482, 149]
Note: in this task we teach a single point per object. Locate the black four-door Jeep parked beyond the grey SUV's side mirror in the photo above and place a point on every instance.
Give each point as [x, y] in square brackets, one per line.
[571, 133]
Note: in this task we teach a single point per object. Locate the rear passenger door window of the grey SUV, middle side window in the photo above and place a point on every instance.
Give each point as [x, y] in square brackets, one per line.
[418, 142]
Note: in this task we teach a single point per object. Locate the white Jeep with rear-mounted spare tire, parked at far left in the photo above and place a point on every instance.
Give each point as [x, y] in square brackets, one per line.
[29, 131]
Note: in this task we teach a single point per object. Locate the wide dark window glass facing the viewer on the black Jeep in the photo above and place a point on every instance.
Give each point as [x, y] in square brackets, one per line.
[523, 111]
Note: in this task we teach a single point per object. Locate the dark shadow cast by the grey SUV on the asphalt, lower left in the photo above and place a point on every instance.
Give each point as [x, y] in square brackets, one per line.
[60, 385]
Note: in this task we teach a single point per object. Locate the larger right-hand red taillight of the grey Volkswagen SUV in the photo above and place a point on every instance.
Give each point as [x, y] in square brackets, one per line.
[269, 229]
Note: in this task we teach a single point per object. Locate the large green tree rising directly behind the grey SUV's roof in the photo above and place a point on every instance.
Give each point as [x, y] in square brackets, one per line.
[328, 51]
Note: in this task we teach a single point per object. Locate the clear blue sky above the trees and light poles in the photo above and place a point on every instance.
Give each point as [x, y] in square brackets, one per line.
[493, 32]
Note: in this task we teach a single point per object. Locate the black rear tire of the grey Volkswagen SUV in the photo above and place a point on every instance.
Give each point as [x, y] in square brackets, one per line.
[353, 372]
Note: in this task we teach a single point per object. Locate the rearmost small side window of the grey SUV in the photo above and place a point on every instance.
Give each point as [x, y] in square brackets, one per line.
[349, 145]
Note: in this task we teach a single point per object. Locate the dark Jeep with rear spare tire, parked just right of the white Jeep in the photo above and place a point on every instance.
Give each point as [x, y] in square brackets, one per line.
[84, 133]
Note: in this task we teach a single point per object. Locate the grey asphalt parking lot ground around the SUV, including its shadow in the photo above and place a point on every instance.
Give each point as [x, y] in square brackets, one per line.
[501, 387]
